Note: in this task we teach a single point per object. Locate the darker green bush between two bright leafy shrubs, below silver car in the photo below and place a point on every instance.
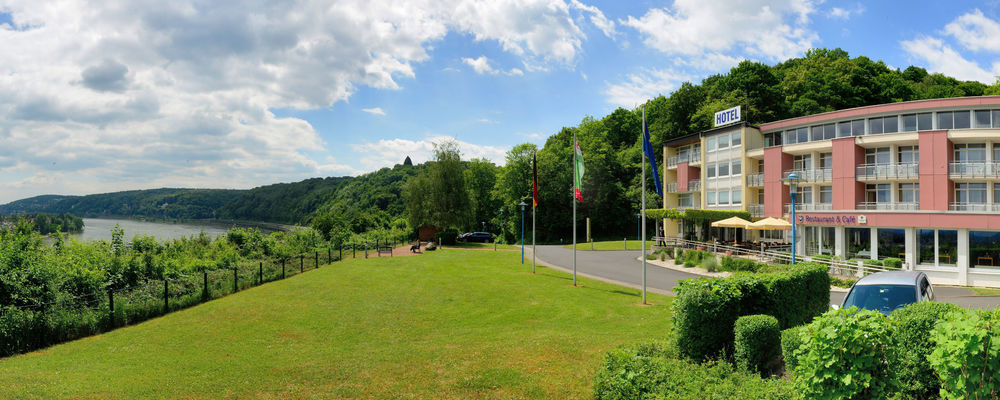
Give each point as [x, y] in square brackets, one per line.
[911, 342]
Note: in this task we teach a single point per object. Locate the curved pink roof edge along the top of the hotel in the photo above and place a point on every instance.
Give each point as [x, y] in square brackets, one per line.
[882, 108]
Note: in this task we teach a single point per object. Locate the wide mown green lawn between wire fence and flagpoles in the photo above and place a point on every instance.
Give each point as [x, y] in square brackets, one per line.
[446, 324]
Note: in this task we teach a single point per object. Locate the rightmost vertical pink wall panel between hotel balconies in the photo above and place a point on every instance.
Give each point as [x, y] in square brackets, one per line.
[936, 190]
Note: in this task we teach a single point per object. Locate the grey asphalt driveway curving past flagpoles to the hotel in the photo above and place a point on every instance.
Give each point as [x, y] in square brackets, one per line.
[623, 267]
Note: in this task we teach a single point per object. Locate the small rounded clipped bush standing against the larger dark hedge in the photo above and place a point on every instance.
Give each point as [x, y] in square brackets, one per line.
[756, 343]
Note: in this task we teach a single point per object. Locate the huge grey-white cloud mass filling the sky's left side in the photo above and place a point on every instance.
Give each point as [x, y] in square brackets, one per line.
[116, 95]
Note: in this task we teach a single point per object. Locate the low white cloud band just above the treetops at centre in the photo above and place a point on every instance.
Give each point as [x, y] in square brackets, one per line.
[387, 152]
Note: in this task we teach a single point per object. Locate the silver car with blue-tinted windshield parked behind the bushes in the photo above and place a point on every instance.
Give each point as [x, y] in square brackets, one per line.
[887, 291]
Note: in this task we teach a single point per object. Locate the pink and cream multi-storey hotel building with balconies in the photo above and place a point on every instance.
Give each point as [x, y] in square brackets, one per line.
[918, 180]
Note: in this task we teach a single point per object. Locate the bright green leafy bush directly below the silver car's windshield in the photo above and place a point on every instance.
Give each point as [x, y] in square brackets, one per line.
[845, 355]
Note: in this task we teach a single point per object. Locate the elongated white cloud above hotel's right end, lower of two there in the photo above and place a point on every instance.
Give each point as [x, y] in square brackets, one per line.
[939, 57]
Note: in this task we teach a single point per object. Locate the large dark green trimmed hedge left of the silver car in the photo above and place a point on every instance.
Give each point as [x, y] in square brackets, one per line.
[706, 309]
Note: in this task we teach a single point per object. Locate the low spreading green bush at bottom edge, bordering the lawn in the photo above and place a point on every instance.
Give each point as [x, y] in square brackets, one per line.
[653, 371]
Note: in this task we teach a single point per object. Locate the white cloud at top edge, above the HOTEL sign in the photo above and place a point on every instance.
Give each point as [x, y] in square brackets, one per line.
[694, 27]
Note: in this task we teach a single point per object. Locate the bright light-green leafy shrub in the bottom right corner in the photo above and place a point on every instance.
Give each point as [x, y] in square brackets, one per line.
[966, 354]
